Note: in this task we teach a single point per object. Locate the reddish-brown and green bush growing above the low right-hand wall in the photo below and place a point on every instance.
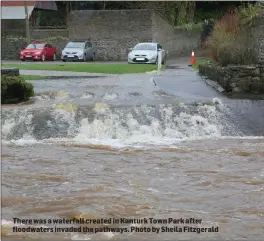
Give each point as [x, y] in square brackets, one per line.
[231, 41]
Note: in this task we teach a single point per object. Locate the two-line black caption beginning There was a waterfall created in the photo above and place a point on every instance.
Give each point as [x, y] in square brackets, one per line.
[120, 225]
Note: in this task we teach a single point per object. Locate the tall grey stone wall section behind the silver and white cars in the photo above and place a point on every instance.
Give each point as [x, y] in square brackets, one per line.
[115, 31]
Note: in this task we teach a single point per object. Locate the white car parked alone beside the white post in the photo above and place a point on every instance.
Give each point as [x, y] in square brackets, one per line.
[146, 53]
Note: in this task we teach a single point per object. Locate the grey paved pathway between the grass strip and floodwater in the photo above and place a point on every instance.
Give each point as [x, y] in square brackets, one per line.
[178, 80]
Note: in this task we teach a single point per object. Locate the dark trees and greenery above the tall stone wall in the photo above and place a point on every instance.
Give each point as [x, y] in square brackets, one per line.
[176, 12]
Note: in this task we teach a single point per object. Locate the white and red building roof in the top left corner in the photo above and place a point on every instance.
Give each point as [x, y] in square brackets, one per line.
[16, 9]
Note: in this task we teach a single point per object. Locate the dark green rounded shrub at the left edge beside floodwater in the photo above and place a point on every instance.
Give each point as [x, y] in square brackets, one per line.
[15, 89]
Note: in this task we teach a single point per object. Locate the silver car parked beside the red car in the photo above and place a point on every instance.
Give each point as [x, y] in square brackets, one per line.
[78, 51]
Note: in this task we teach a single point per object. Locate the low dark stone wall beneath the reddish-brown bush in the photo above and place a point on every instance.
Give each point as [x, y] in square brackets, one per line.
[246, 79]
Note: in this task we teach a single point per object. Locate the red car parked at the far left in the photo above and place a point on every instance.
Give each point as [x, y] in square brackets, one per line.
[38, 51]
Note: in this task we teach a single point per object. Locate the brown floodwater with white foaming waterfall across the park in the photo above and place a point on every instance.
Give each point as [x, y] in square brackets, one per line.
[126, 148]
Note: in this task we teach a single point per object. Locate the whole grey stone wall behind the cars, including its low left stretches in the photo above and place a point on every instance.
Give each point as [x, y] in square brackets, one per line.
[112, 32]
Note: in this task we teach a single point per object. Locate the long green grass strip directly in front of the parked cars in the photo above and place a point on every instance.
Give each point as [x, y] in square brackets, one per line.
[90, 68]
